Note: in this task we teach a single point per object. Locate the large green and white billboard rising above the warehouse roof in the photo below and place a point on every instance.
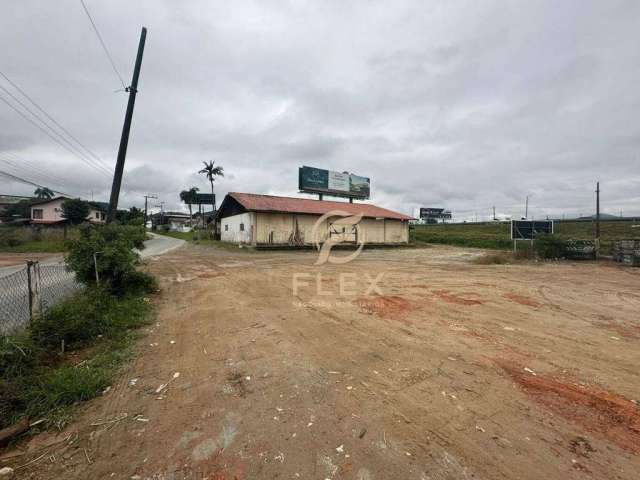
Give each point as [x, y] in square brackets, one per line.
[341, 184]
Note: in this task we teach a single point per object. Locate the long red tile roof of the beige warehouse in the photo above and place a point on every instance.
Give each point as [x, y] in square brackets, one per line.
[269, 203]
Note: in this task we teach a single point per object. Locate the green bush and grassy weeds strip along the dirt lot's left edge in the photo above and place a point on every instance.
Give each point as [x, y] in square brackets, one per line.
[73, 351]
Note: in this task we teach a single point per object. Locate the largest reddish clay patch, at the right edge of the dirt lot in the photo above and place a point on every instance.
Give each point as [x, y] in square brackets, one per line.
[598, 411]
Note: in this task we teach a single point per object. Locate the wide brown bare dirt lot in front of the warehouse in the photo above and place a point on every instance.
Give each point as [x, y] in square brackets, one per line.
[444, 369]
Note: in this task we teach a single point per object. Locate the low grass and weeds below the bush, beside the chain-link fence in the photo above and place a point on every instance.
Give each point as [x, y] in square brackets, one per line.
[36, 381]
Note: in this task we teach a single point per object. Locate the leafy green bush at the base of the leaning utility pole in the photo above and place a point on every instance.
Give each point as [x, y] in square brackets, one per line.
[113, 246]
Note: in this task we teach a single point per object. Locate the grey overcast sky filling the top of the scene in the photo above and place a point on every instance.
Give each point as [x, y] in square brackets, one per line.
[464, 105]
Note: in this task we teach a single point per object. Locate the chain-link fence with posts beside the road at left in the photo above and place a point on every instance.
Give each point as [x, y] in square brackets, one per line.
[31, 290]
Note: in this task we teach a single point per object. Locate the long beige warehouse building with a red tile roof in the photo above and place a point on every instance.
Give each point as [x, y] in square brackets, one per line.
[263, 220]
